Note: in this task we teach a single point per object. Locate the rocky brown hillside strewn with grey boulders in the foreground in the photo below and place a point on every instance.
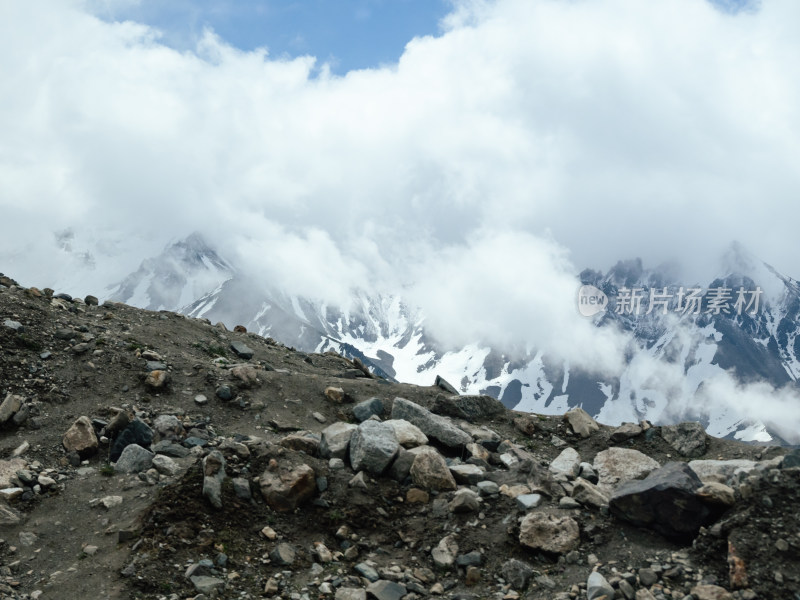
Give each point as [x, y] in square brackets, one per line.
[151, 455]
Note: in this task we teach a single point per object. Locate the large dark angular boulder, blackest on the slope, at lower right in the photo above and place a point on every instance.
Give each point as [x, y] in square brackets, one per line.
[664, 501]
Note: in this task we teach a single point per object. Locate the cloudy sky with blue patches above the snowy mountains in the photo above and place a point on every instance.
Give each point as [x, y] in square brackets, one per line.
[474, 154]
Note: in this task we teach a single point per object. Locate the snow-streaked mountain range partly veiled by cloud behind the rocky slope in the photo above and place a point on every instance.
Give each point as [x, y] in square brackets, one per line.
[677, 356]
